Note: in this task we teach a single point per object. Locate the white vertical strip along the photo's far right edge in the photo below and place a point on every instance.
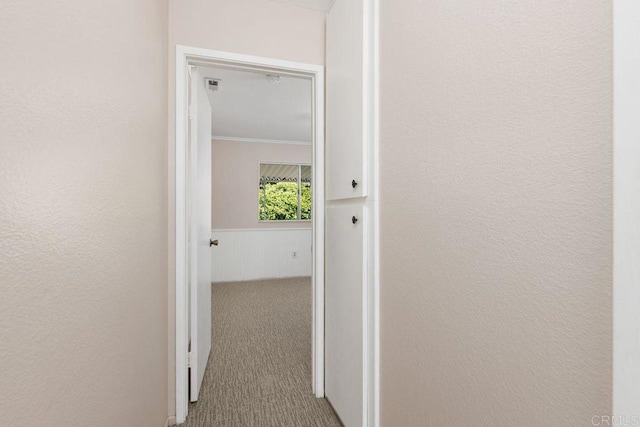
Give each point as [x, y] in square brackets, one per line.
[626, 321]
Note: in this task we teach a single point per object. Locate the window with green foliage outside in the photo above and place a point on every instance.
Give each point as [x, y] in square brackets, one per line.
[284, 192]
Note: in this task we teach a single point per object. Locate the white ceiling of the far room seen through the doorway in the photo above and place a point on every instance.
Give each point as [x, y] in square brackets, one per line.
[247, 106]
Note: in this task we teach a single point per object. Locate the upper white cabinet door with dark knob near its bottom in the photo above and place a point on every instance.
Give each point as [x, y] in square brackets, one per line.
[348, 90]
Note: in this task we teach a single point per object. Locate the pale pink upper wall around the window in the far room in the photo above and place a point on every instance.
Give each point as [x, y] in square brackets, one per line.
[238, 164]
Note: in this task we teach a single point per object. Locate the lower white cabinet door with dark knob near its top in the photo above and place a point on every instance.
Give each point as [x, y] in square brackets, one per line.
[344, 293]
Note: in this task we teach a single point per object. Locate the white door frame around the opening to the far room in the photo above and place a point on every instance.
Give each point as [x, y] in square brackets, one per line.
[186, 56]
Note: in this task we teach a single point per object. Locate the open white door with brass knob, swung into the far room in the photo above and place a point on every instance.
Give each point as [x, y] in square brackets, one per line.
[200, 232]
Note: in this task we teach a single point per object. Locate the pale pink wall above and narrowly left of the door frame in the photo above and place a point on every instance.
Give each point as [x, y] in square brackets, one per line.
[250, 27]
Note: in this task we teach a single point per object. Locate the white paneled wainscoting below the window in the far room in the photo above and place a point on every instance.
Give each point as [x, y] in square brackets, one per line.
[251, 254]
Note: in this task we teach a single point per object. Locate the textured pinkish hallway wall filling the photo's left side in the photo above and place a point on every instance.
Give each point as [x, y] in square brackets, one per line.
[83, 213]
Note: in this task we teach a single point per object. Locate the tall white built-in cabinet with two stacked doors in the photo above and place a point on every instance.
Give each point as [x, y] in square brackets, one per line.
[348, 141]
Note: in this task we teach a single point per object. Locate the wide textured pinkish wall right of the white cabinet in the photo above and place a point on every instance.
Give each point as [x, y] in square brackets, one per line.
[496, 212]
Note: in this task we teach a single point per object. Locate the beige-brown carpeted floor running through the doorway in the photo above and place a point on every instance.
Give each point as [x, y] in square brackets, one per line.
[259, 371]
